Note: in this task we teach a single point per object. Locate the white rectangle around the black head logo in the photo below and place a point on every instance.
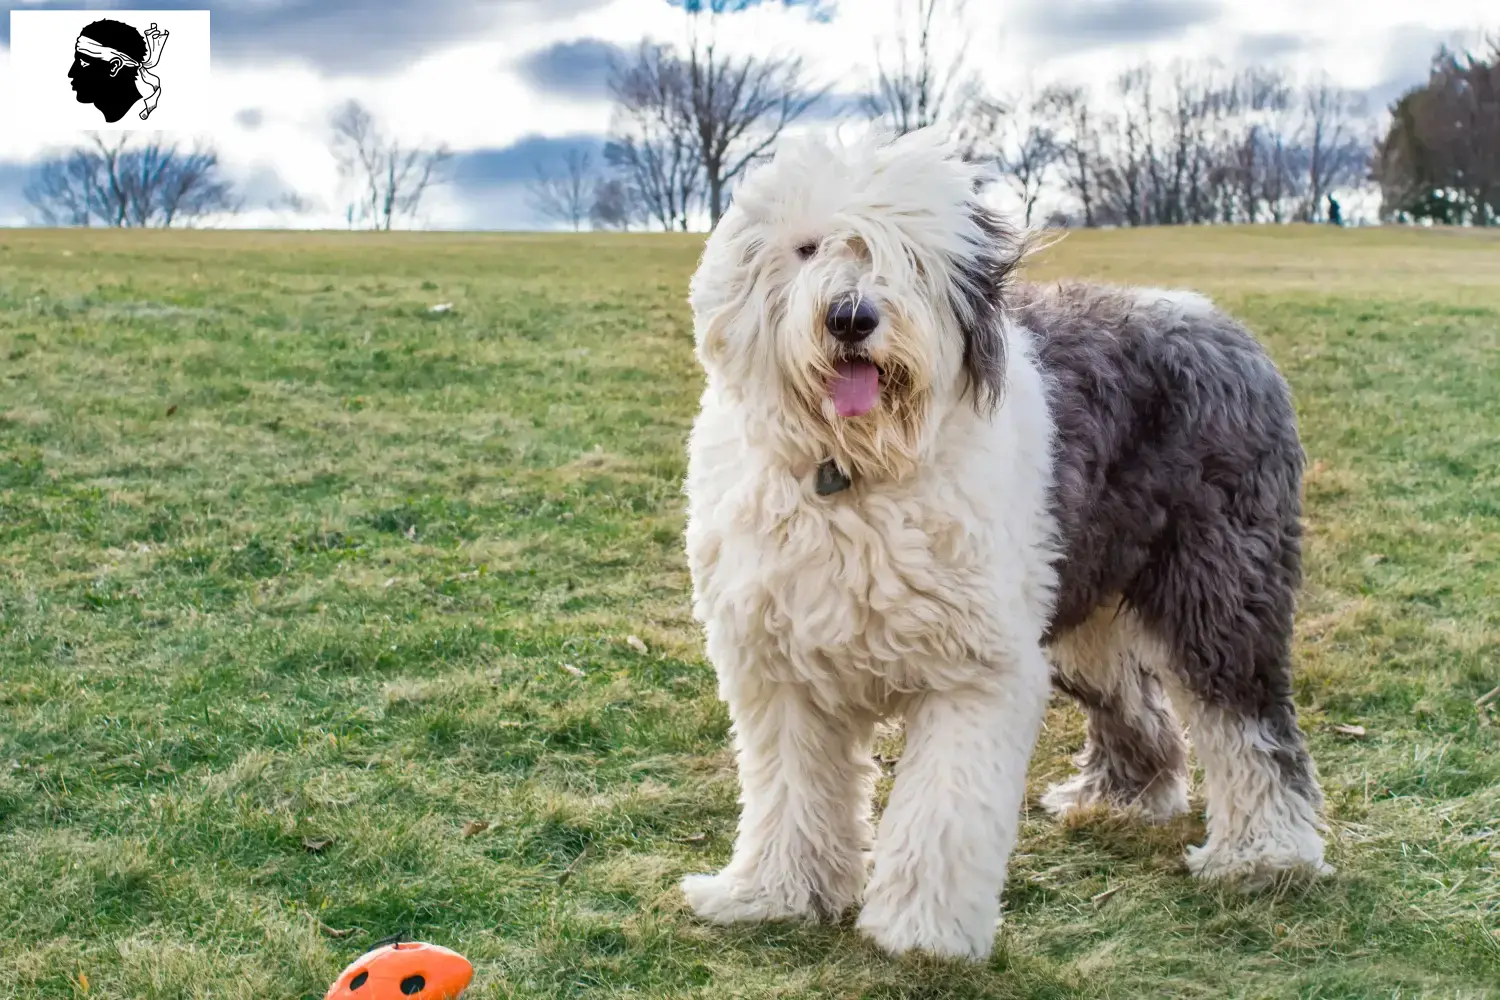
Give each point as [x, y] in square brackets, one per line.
[40, 100]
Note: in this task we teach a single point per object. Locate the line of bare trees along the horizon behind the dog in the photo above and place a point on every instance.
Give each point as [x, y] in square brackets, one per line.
[1189, 143]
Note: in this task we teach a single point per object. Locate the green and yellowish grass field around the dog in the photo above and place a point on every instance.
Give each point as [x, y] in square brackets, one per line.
[302, 585]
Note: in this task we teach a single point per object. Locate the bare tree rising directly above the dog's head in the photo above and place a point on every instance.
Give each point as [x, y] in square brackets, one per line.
[922, 79]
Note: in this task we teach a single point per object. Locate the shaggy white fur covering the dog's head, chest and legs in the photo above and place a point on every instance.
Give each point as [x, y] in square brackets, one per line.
[928, 588]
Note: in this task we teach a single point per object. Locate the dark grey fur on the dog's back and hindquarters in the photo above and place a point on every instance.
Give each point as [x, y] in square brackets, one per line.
[1178, 497]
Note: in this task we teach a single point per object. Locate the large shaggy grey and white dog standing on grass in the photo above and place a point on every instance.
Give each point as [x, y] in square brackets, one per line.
[922, 490]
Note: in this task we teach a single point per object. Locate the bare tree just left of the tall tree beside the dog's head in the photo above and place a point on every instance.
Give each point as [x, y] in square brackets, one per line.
[653, 146]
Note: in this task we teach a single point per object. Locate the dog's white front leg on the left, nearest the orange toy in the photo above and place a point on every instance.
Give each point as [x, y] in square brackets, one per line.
[806, 782]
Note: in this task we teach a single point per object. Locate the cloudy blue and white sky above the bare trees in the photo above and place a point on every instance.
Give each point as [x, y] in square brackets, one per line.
[509, 85]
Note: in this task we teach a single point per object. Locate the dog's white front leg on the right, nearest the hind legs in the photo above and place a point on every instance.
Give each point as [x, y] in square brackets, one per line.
[949, 830]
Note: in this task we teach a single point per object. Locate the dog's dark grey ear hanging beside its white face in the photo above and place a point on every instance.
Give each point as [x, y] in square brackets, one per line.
[980, 278]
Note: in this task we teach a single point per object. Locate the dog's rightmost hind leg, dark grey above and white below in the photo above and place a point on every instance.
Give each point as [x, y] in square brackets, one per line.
[1222, 600]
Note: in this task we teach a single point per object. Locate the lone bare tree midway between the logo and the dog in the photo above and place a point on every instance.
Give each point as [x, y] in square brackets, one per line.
[389, 175]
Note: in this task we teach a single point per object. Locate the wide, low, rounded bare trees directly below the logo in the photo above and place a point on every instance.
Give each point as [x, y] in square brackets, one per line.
[124, 182]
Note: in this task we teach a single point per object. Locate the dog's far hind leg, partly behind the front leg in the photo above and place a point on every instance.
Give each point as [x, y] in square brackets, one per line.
[1136, 758]
